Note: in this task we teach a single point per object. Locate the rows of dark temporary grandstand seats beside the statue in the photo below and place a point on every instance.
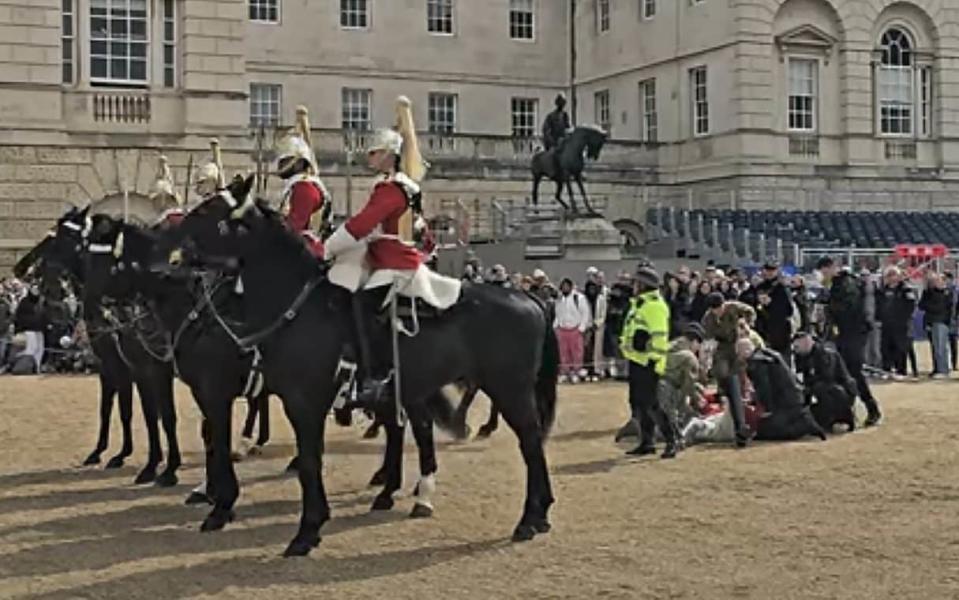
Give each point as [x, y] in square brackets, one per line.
[754, 235]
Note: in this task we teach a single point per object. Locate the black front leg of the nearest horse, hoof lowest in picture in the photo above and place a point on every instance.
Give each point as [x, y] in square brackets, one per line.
[308, 420]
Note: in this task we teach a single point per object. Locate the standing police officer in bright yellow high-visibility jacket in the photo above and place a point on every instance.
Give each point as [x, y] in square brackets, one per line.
[645, 344]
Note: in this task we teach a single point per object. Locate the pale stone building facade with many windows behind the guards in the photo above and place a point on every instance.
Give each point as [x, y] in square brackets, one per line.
[794, 103]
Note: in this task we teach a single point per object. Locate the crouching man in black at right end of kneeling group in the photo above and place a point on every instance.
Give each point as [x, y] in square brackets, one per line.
[829, 389]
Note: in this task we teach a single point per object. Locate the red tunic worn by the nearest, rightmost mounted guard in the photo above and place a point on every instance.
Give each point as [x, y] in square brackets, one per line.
[386, 205]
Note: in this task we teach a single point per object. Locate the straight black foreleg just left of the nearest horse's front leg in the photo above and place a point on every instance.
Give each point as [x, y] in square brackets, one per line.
[220, 473]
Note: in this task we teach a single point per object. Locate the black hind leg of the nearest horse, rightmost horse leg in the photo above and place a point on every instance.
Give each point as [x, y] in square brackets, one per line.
[515, 400]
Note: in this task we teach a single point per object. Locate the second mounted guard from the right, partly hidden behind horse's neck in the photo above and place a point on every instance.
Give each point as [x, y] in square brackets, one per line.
[303, 193]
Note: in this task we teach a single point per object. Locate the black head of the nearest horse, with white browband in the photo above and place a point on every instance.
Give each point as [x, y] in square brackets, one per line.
[215, 230]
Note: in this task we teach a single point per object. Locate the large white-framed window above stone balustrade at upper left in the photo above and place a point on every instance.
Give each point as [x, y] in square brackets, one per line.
[119, 42]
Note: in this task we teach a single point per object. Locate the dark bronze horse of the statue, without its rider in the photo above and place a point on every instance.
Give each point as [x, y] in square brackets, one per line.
[569, 164]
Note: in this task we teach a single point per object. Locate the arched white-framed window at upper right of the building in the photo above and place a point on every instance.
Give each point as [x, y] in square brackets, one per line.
[904, 88]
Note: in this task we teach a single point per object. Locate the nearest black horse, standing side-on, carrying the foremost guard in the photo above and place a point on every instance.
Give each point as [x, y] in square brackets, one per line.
[494, 337]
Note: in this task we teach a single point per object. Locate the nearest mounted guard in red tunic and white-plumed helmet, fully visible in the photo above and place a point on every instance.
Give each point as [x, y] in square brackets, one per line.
[374, 250]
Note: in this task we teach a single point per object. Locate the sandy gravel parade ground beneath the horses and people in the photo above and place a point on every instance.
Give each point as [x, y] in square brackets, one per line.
[868, 515]
